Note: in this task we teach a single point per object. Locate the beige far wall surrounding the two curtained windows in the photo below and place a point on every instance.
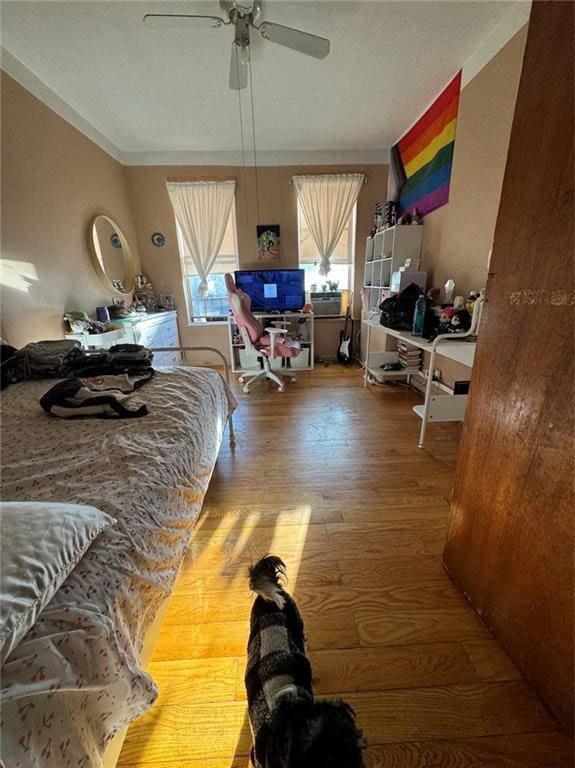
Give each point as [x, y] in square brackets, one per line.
[152, 212]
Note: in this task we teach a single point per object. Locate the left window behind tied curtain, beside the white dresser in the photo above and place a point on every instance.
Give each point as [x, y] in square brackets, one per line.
[214, 306]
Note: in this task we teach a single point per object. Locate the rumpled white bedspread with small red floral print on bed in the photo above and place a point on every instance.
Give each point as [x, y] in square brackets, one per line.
[75, 679]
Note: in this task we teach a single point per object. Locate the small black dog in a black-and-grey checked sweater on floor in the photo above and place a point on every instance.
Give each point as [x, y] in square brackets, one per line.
[290, 729]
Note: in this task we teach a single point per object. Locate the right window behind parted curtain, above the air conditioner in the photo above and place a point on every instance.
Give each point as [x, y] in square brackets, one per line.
[341, 261]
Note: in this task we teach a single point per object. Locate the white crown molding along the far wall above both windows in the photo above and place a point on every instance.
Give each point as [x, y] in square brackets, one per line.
[264, 158]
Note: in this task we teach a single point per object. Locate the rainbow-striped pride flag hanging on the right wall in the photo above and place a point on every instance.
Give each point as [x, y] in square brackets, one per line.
[422, 159]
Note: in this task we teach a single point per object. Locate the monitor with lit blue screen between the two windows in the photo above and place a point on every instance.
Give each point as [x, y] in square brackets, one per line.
[273, 290]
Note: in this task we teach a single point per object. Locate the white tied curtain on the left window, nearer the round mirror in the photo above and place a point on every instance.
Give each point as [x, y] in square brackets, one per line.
[202, 210]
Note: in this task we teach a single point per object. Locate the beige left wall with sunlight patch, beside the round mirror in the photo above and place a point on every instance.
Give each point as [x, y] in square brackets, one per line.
[54, 180]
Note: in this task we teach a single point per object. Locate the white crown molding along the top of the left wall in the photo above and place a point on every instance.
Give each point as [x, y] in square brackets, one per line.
[28, 80]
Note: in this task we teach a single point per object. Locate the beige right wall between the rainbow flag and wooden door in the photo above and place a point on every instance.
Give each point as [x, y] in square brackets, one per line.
[458, 236]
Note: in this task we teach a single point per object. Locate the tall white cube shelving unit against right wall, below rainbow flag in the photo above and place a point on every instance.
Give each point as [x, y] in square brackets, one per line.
[385, 253]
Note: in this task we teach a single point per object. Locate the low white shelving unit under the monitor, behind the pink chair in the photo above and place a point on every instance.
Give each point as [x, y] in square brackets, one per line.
[298, 325]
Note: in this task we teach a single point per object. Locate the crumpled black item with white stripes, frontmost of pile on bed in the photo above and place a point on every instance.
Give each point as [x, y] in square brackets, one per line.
[101, 397]
